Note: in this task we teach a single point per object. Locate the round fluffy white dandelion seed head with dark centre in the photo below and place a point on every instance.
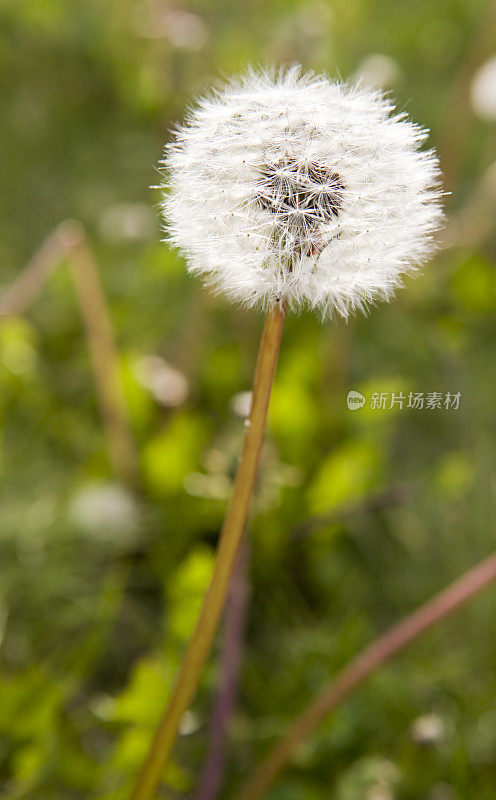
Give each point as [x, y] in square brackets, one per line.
[286, 186]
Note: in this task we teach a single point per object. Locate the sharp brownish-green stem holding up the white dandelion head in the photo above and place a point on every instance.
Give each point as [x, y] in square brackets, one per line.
[232, 531]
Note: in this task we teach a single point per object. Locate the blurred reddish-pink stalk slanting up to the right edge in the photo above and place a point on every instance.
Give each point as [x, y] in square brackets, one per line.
[368, 661]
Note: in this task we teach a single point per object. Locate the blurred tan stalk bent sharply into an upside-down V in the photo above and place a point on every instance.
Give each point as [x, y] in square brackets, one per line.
[69, 241]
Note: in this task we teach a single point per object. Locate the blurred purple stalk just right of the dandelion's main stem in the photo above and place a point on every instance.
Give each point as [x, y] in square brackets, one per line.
[212, 775]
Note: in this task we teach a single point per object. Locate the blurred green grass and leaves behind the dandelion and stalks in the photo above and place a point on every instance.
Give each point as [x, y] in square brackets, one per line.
[101, 580]
